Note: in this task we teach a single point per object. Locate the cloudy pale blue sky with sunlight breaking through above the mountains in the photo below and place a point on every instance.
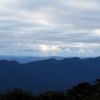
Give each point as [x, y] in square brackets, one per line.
[50, 28]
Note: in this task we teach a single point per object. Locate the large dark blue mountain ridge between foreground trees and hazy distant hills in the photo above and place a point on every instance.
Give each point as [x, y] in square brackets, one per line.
[41, 76]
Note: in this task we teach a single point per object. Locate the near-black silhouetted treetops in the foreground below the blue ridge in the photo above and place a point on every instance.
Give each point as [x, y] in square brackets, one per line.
[82, 91]
